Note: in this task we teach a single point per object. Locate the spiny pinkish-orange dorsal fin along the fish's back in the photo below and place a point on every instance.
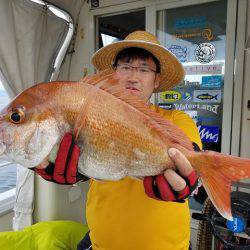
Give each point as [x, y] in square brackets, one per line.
[106, 81]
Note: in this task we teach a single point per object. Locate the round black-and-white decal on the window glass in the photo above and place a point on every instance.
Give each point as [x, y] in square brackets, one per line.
[205, 52]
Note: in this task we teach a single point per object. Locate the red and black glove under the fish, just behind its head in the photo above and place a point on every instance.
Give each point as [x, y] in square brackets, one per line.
[64, 171]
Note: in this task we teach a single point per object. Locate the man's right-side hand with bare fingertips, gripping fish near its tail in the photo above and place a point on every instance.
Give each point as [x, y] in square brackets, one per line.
[172, 185]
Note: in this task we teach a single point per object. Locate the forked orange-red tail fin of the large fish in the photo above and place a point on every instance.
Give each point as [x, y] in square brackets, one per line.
[217, 172]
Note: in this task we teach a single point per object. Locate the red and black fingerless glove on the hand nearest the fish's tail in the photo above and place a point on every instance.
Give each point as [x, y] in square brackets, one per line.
[157, 187]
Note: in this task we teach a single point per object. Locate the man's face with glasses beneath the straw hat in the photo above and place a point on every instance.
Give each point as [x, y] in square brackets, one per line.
[138, 76]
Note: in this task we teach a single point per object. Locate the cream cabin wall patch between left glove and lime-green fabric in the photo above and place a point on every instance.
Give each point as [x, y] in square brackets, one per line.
[52, 202]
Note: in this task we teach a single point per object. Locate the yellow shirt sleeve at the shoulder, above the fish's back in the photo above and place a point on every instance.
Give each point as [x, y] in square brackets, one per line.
[184, 122]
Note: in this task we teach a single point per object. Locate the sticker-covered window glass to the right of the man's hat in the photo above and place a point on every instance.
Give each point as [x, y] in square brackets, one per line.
[196, 35]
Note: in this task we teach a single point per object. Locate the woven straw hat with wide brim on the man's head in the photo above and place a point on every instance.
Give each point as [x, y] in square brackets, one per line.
[172, 71]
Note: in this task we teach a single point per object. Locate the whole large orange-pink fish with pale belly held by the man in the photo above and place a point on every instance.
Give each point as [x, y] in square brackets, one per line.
[118, 135]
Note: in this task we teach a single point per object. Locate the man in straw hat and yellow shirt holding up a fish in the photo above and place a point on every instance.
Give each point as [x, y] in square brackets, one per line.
[120, 214]
